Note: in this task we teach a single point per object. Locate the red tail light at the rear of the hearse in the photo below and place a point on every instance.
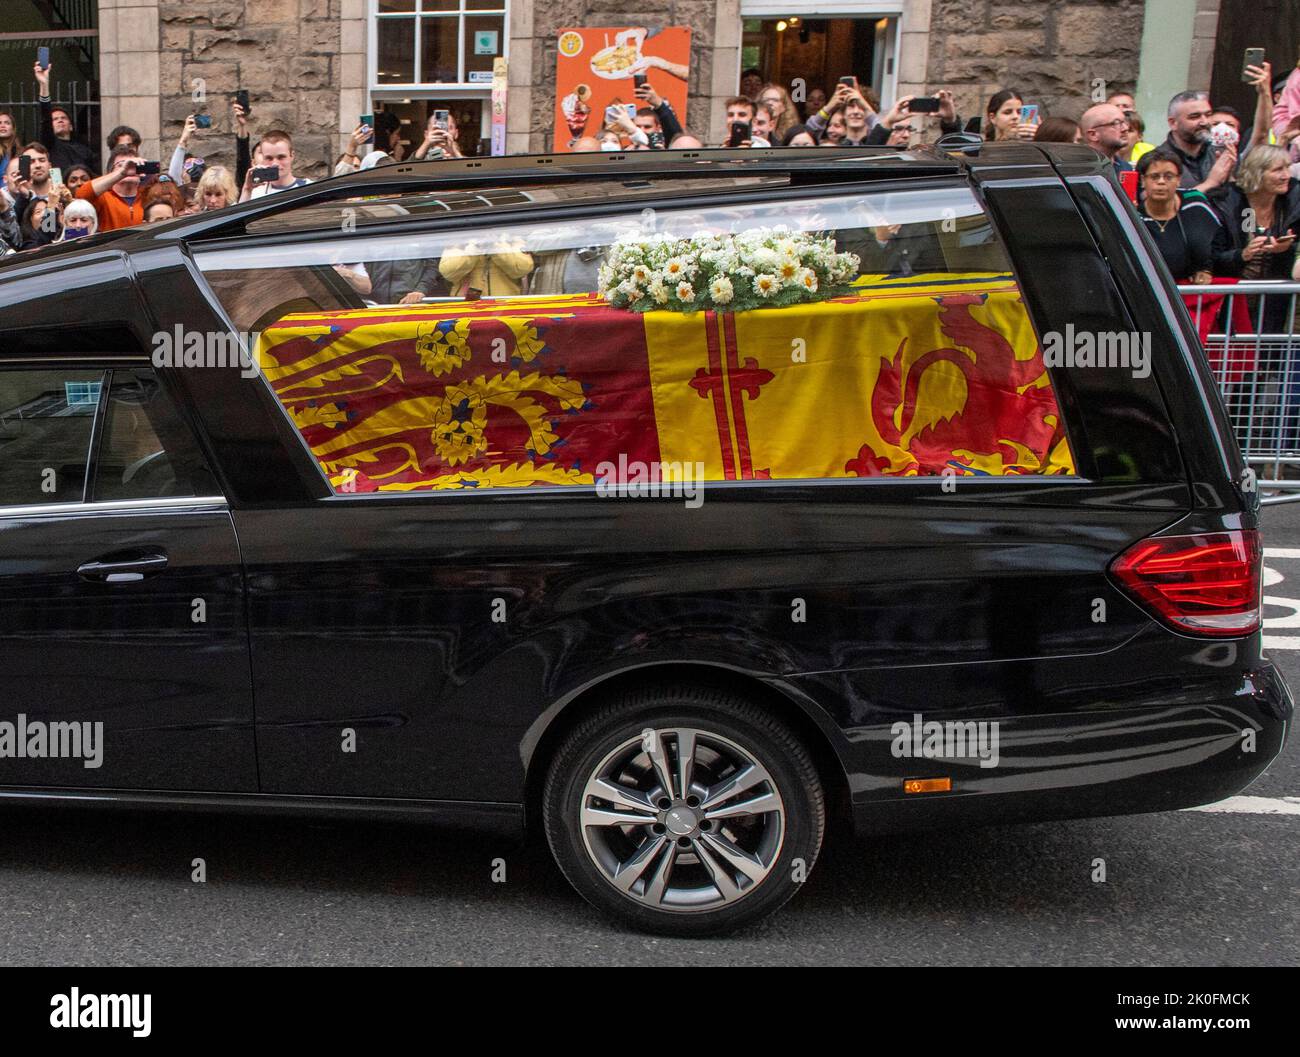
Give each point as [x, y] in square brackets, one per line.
[1197, 584]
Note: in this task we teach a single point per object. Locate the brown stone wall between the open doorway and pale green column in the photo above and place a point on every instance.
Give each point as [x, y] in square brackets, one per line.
[1054, 51]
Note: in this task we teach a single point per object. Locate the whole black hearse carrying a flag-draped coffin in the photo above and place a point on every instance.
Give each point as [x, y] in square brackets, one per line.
[367, 564]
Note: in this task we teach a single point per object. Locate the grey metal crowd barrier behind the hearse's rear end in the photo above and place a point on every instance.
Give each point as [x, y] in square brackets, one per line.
[1249, 331]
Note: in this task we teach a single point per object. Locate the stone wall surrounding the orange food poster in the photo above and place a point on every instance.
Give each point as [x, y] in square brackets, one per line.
[714, 54]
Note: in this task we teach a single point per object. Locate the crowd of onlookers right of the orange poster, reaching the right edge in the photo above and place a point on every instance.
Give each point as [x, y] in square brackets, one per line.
[1220, 200]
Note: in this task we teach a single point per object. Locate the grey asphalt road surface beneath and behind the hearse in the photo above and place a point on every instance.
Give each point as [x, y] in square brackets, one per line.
[1207, 887]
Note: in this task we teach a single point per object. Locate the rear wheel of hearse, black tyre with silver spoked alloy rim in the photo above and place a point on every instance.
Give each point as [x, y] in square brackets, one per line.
[731, 842]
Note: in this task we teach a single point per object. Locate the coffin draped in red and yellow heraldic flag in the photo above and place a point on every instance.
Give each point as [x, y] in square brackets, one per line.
[900, 378]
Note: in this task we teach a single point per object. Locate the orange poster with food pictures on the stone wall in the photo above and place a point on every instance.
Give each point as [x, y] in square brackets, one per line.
[596, 70]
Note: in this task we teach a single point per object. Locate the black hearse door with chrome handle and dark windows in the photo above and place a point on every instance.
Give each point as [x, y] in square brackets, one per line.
[122, 596]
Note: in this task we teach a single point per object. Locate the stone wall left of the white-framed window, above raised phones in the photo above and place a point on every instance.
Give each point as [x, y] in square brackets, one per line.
[288, 54]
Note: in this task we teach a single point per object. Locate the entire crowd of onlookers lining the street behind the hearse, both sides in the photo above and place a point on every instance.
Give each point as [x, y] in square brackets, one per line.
[1220, 200]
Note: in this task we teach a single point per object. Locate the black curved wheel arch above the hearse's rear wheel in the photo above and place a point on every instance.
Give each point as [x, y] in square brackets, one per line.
[804, 717]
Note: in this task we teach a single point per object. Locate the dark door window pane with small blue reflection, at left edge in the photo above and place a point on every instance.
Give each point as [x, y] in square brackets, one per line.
[47, 421]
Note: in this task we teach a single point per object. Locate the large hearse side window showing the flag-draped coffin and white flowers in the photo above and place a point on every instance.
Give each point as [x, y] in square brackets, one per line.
[837, 336]
